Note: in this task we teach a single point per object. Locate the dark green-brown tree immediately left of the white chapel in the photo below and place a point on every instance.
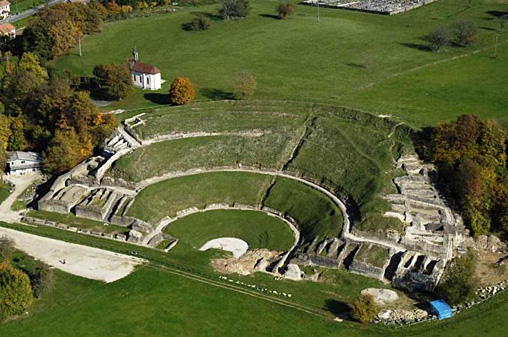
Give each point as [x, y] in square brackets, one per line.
[114, 80]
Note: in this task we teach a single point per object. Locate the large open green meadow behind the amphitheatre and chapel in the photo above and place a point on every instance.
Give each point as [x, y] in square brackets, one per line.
[353, 58]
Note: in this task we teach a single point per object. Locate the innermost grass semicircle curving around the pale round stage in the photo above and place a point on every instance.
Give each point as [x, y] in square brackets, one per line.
[258, 229]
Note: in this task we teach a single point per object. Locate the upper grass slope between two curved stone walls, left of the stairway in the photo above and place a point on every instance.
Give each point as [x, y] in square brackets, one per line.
[268, 151]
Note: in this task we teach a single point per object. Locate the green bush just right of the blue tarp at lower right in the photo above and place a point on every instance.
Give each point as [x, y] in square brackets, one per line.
[459, 282]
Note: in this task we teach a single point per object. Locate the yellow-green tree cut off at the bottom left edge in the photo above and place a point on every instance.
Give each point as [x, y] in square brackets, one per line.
[15, 292]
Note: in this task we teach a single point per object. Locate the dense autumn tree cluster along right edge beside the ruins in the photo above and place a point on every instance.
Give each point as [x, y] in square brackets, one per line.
[470, 155]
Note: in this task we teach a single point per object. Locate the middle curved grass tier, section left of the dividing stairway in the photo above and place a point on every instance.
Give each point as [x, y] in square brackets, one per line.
[170, 196]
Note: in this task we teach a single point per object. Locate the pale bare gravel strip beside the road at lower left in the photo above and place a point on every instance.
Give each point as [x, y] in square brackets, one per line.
[84, 261]
